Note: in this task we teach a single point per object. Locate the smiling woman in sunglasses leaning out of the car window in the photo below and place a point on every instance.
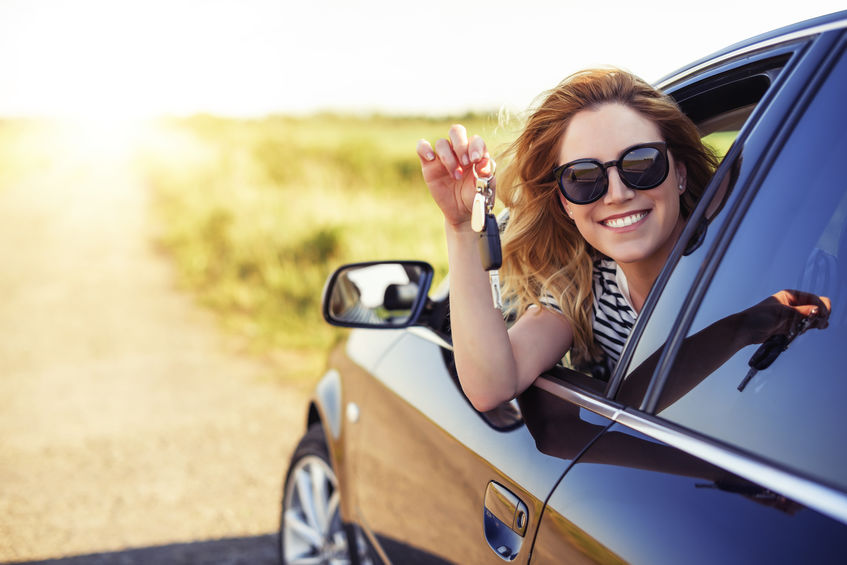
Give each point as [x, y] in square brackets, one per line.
[599, 185]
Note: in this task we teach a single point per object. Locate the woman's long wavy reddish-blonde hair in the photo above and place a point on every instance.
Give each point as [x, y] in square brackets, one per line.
[543, 252]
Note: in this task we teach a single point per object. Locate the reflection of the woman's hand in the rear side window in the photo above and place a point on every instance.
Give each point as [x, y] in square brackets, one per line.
[782, 312]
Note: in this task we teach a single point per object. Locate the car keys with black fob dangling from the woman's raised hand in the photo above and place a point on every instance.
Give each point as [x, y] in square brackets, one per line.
[484, 223]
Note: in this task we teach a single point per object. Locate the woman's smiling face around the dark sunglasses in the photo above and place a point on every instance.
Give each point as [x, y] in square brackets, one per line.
[624, 224]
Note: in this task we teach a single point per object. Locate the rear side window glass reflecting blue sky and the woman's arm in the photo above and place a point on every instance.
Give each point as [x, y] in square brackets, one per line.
[794, 236]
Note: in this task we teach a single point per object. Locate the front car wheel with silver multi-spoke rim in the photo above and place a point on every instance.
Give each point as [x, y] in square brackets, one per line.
[311, 530]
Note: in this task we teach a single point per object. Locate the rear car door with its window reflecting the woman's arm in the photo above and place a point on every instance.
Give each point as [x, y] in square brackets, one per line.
[698, 468]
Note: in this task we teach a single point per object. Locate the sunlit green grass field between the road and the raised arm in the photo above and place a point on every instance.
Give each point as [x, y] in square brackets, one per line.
[257, 213]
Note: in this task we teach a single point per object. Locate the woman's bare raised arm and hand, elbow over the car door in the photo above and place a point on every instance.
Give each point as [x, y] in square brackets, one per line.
[493, 365]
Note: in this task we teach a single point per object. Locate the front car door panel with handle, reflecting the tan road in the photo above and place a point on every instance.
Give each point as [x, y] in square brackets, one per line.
[436, 481]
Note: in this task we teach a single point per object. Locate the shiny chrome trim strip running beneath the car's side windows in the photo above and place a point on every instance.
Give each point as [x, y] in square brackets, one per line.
[821, 498]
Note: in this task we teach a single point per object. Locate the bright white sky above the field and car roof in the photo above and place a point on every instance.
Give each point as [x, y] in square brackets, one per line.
[130, 58]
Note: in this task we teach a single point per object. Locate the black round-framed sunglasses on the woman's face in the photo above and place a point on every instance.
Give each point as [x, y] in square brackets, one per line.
[641, 167]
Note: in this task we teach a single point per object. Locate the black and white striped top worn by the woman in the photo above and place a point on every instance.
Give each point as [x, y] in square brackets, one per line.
[614, 316]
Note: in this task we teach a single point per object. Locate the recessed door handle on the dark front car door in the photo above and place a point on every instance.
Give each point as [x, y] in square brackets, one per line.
[505, 518]
